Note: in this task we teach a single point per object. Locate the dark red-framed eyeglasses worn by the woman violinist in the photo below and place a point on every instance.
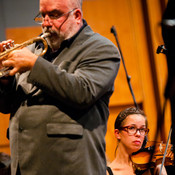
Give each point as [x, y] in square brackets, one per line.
[133, 130]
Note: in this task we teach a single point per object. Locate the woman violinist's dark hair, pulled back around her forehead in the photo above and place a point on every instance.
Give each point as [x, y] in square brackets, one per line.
[124, 114]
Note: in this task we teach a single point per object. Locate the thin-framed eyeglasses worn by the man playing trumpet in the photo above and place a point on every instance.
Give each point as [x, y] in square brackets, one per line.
[54, 15]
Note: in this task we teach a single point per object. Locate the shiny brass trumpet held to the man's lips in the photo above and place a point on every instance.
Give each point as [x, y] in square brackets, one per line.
[3, 56]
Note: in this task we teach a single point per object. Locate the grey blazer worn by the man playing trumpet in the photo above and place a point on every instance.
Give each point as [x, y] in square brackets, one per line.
[59, 110]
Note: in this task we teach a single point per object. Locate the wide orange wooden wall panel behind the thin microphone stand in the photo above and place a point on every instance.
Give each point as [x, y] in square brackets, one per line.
[102, 15]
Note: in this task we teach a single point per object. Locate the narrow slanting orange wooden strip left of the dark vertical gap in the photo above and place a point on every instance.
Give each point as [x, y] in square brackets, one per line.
[149, 102]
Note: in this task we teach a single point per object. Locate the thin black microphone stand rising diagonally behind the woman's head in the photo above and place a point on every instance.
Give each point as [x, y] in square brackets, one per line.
[113, 30]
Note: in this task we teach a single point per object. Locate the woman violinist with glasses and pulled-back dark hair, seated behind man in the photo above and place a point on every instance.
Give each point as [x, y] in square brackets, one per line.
[131, 128]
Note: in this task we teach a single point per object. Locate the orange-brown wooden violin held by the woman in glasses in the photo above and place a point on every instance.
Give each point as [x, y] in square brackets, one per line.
[152, 155]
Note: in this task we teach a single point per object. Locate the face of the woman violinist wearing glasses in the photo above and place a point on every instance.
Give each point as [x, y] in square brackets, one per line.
[132, 142]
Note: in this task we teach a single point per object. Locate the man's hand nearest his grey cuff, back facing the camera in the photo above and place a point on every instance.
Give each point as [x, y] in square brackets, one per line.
[19, 61]
